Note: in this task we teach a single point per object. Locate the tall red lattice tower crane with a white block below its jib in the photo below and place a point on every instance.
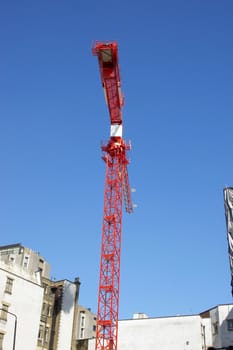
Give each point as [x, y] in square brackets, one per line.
[116, 189]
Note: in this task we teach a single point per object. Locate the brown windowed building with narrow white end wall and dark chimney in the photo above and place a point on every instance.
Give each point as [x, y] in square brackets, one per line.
[59, 315]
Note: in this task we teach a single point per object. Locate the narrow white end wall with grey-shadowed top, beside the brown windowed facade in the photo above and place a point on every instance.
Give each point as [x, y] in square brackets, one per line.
[67, 316]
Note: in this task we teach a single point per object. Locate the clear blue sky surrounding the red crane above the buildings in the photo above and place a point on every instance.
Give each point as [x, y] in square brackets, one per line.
[176, 60]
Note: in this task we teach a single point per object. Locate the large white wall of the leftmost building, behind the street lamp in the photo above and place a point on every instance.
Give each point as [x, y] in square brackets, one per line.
[25, 302]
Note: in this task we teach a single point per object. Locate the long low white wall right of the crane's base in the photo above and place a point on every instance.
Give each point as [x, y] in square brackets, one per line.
[174, 333]
